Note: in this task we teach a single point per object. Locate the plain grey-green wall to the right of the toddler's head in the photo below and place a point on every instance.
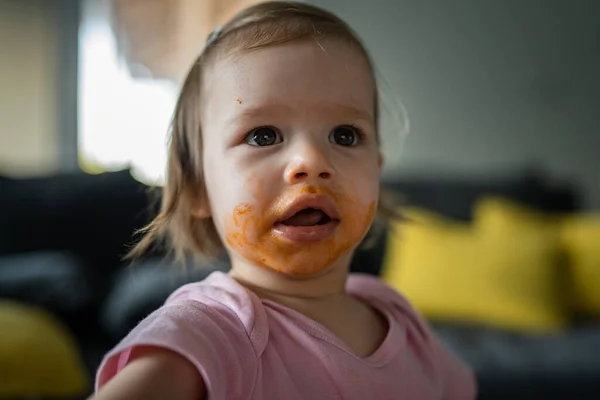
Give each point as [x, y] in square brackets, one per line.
[490, 85]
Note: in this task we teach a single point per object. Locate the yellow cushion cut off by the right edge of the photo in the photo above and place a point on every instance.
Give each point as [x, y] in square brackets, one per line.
[580, 237]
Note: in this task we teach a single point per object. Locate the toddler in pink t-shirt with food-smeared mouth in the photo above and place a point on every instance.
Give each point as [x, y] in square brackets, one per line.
[274, 157]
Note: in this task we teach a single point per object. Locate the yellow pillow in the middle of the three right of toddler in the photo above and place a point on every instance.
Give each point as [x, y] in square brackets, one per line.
[522, 247]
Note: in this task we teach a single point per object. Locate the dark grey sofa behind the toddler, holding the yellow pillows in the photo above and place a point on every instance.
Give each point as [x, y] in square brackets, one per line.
[62, 238]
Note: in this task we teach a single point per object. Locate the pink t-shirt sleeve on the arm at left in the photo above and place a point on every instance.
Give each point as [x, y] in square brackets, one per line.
[214, 341]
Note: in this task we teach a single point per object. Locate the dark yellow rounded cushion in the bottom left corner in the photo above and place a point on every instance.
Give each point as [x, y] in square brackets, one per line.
[37, 355]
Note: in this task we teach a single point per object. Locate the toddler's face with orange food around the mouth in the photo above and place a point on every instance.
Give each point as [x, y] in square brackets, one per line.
[290, 154]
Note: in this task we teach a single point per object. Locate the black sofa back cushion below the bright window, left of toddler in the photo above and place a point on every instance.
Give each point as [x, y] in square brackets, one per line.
[93, 216]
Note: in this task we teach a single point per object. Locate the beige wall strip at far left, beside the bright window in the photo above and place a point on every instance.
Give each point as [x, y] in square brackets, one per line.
[29, 87]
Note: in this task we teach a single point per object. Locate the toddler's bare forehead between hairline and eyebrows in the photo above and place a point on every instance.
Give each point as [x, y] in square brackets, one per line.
[304, 75]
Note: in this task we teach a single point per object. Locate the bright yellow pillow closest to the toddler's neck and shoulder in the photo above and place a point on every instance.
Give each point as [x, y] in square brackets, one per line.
[429, 260]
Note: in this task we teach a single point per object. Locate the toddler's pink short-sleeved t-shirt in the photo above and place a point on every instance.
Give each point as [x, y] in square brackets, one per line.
[248, 348]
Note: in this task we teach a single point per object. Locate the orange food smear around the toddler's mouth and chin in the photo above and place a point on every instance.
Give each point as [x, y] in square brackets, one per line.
[250, 232]
